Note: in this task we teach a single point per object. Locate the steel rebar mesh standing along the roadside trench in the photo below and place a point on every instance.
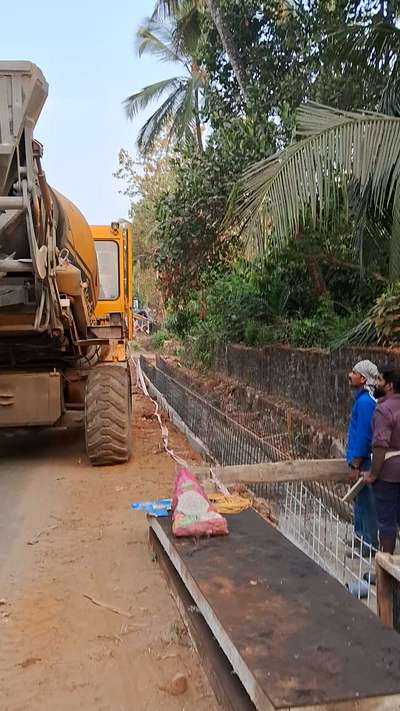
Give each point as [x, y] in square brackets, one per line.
[310, 514]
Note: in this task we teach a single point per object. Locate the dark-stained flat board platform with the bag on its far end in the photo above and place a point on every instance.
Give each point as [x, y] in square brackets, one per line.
[294, 636]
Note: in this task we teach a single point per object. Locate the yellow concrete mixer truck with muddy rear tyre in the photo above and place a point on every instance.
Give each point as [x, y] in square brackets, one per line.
[65, 292]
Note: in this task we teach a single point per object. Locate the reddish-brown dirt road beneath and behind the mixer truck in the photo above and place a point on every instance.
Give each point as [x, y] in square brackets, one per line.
[66, 531]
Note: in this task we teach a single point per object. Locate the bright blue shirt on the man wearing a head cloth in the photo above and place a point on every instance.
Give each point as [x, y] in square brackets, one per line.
[359, 436]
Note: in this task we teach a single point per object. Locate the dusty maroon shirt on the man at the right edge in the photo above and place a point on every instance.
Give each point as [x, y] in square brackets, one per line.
[386, 433]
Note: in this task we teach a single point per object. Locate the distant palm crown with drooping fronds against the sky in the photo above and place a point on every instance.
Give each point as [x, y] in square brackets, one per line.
[179, 114]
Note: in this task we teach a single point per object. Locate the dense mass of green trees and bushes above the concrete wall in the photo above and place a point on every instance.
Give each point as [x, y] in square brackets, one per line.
[318, 287]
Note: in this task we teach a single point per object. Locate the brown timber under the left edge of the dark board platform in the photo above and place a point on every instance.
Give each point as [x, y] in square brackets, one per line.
[228, 689]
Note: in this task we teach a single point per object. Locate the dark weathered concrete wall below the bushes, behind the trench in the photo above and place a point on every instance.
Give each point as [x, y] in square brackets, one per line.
[312, 380]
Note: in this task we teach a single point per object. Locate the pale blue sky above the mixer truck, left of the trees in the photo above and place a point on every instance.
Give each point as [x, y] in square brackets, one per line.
[85, 49]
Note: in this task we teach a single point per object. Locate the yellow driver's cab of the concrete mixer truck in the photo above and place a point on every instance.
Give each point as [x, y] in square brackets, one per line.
[114, 251]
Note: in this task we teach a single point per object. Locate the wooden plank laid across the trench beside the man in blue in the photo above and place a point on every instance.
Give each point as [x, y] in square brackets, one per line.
[269, 472]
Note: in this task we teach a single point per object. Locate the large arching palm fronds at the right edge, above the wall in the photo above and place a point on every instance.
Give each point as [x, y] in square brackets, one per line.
[336, 148]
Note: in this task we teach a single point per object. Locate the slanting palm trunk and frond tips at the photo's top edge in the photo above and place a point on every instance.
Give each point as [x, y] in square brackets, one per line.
[189, 9]
